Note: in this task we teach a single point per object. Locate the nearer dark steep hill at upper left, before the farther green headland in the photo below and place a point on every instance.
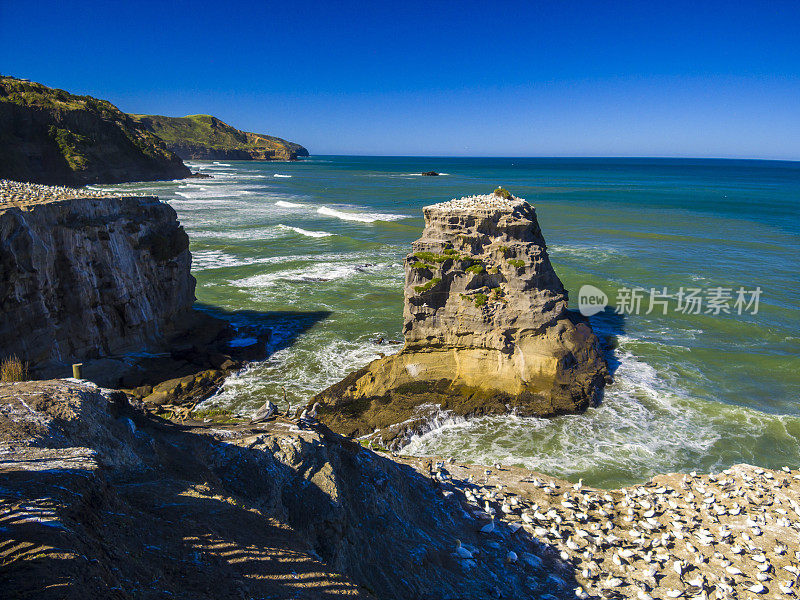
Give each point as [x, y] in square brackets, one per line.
[50, 136]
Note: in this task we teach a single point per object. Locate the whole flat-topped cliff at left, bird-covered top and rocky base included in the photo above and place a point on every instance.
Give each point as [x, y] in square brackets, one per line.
[104, 280]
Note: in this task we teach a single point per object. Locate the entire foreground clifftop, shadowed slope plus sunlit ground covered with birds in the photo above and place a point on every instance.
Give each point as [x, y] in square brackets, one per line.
[100, 498]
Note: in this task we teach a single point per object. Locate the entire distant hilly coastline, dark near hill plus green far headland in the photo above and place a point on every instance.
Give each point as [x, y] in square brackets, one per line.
[50, 136]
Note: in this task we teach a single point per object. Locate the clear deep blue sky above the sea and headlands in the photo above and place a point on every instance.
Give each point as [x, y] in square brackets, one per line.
[433, 78]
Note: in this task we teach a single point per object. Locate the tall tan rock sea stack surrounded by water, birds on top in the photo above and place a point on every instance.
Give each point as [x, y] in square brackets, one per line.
[487, 329]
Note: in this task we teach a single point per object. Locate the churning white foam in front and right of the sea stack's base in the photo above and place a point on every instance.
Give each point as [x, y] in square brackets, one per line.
[645, 425]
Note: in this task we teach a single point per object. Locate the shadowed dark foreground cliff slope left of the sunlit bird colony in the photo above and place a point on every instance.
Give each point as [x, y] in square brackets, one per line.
[105, 501]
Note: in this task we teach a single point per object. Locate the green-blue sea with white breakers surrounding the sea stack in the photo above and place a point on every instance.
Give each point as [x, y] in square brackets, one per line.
[313, 250]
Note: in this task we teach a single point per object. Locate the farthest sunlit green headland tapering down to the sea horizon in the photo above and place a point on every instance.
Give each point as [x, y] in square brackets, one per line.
[205, 137]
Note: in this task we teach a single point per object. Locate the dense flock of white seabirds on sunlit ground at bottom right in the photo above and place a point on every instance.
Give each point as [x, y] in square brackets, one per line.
[731, 535]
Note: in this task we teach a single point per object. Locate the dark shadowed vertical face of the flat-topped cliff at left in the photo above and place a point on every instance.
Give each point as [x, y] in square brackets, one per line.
[89, 277]
